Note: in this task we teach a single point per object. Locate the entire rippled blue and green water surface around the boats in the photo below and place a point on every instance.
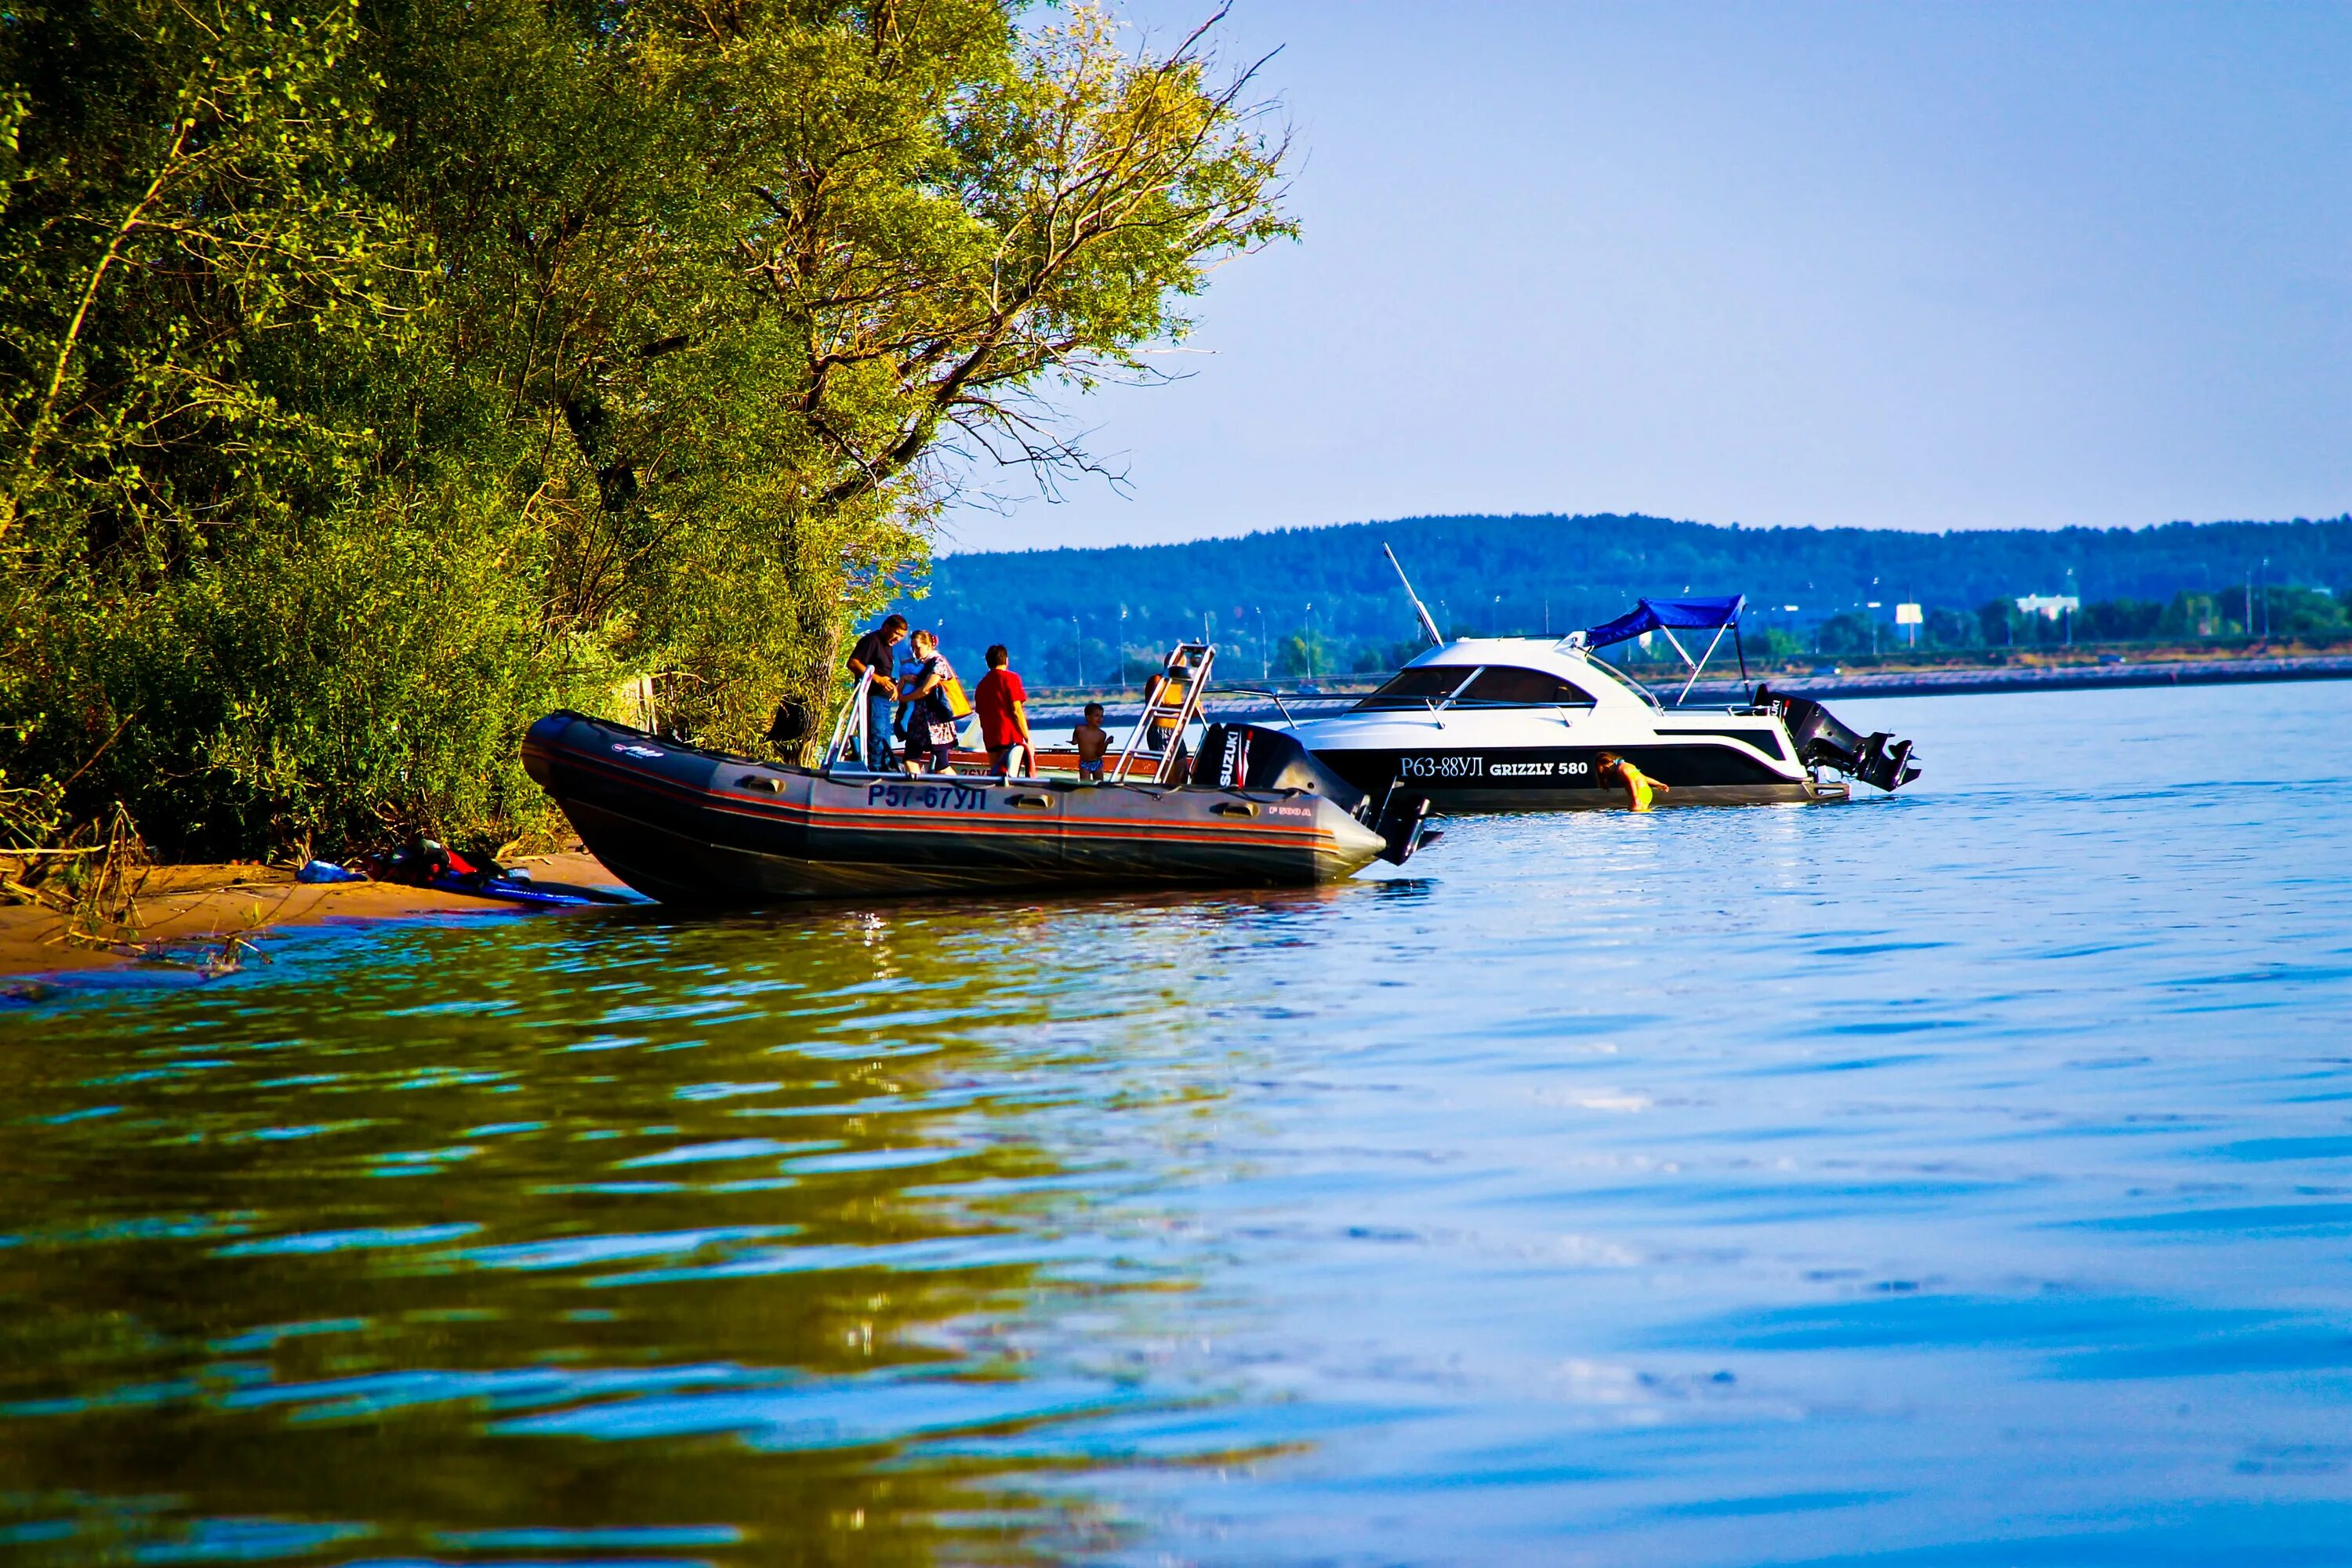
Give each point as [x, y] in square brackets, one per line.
[1946, 1179]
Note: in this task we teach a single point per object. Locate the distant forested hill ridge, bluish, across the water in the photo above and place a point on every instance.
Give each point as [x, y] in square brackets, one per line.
[1530, 575]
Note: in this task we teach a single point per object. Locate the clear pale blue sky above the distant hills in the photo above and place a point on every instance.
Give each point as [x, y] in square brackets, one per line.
[1920, 267]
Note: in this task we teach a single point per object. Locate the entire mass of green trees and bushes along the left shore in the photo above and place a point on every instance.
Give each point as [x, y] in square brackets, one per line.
[373, 382]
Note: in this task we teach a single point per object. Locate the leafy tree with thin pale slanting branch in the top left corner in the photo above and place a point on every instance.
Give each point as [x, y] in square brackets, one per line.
[187, 274]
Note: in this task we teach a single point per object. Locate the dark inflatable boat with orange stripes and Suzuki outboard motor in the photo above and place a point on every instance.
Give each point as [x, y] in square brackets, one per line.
[697, 826]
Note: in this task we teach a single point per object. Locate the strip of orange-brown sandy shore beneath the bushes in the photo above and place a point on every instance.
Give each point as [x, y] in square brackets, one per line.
[189, 913]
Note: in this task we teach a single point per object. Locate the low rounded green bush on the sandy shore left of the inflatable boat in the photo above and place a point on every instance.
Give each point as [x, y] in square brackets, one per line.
[328, 688]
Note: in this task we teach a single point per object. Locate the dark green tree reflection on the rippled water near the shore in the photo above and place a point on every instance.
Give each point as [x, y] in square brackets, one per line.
[606, 1238]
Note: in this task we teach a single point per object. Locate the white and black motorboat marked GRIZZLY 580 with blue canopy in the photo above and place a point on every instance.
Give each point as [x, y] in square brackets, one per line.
[1523, 723]
